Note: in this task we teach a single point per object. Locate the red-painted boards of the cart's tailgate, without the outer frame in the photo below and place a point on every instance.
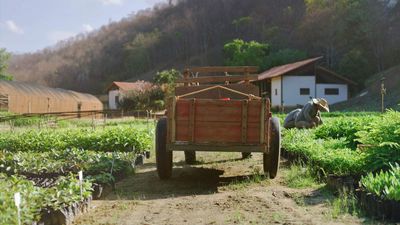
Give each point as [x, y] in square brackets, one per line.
[218, 121]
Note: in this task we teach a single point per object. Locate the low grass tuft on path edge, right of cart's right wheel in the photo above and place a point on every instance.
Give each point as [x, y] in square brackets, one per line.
[298, 176]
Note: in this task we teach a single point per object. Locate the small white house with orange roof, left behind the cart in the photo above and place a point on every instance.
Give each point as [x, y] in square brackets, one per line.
[117, 90]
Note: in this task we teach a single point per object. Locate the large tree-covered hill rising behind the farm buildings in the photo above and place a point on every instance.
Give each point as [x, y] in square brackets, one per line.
[356, 37]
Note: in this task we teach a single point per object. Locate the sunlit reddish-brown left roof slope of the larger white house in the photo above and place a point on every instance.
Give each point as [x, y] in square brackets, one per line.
[284, 69]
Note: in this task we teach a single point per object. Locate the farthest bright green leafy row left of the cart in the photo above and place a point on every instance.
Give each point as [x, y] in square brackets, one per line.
[109, 139]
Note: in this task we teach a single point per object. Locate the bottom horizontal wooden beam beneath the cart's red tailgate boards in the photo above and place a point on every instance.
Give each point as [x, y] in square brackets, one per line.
[215, 147]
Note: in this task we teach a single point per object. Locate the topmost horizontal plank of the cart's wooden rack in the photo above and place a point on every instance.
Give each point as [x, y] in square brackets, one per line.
[222, 69]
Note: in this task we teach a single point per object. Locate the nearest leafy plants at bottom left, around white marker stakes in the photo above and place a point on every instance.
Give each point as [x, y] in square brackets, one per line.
[65, 192]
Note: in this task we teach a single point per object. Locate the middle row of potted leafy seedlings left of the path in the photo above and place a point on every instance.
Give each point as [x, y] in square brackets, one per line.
[57, 163]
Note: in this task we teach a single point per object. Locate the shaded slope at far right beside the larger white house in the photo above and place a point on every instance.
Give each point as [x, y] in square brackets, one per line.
[371, 96]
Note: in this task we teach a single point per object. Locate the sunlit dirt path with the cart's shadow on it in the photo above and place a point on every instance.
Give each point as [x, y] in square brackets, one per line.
[222, 190]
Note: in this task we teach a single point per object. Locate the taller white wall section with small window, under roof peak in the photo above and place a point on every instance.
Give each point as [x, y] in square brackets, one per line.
[291, 89]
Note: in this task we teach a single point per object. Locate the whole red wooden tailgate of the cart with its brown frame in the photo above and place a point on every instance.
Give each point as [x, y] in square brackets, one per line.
[218, 125]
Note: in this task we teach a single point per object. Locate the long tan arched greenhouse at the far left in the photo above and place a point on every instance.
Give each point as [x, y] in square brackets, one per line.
[20, 97]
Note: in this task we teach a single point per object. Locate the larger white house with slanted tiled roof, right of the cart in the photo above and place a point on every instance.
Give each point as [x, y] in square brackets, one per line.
[294, 84]
